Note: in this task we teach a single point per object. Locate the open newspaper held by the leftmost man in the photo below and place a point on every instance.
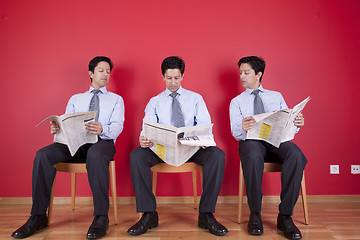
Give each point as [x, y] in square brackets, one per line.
[72, 129]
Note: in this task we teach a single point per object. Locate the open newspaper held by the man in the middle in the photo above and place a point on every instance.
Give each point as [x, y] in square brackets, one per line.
[176, 145]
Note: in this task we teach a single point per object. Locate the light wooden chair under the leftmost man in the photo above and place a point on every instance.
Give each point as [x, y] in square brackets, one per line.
[75, 168]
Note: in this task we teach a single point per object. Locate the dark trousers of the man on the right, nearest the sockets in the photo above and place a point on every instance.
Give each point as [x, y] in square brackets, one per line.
[254, 153]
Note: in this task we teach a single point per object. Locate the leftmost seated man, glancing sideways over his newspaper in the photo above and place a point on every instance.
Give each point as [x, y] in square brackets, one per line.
[107, 126]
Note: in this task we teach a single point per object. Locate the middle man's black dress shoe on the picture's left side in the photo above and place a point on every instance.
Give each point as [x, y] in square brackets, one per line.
[148, 220]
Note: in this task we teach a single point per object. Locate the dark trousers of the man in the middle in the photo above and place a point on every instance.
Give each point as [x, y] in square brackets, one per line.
[142, 159]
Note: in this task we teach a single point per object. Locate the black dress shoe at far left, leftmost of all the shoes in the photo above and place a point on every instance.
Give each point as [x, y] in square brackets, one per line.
[34, 223]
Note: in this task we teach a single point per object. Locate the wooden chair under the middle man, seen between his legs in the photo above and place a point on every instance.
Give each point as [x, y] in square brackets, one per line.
[186, 167]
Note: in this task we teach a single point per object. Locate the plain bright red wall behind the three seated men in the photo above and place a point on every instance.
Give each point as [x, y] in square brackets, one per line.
[311, 48]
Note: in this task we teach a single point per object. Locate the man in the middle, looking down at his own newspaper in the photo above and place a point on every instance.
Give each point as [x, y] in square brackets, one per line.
[178, 107]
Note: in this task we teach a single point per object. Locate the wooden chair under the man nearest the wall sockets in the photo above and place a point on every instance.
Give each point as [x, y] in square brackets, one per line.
[272, 167]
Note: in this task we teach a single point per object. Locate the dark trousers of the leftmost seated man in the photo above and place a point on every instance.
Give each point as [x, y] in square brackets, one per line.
[97, 157]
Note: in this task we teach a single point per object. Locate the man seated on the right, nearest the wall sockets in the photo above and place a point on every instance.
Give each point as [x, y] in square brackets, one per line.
[255, 100]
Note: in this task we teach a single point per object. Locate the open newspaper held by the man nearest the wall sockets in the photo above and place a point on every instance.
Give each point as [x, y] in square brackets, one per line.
[276, 127]
